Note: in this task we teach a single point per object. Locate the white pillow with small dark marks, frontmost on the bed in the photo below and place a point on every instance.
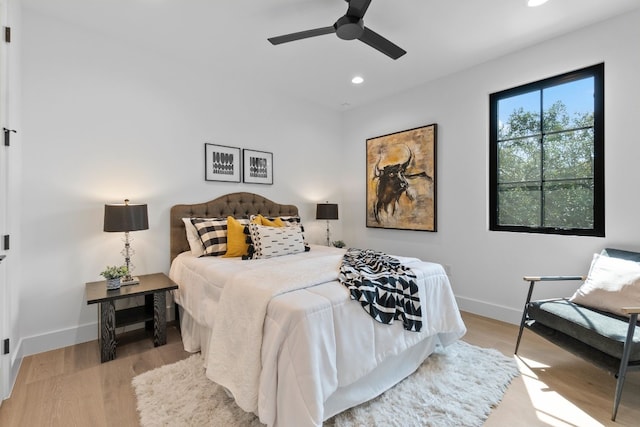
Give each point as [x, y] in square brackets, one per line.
[269, 242]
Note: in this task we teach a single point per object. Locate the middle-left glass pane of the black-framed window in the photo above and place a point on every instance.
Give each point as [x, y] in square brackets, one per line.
[519, 160]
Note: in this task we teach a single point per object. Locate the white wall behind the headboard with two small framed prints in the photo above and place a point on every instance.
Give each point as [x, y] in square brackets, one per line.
[104, 121]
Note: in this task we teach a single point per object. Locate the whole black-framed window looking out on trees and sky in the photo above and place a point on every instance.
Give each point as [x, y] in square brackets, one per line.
[547, 155]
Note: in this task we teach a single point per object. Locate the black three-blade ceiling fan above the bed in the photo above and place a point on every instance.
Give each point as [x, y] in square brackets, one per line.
[349, 27]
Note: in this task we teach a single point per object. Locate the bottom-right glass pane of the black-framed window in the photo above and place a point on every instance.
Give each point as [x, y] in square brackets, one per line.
[569, 204]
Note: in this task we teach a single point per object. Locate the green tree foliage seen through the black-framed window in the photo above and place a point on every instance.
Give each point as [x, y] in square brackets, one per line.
[545, 170]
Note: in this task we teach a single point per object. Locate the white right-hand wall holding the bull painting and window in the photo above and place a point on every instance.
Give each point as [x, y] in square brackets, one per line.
[487, 267]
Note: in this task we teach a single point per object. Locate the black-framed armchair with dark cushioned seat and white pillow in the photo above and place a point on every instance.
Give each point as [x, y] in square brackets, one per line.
[598, 323]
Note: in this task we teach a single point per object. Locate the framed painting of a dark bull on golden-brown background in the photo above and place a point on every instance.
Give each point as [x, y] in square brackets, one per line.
[401, 180]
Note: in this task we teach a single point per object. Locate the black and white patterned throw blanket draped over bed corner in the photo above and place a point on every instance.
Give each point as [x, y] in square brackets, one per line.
[386, 289]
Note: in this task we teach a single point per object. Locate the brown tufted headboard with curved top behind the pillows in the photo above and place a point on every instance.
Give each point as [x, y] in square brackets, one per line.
[238, 205]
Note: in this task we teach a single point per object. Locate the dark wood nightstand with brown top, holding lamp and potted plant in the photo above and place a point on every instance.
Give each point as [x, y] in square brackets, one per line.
[154, 312]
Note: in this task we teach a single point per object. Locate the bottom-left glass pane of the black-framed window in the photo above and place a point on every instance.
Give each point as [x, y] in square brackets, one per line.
[519, 204]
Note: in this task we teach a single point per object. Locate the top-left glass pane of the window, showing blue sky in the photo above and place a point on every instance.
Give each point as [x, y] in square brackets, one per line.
[519, 115]
